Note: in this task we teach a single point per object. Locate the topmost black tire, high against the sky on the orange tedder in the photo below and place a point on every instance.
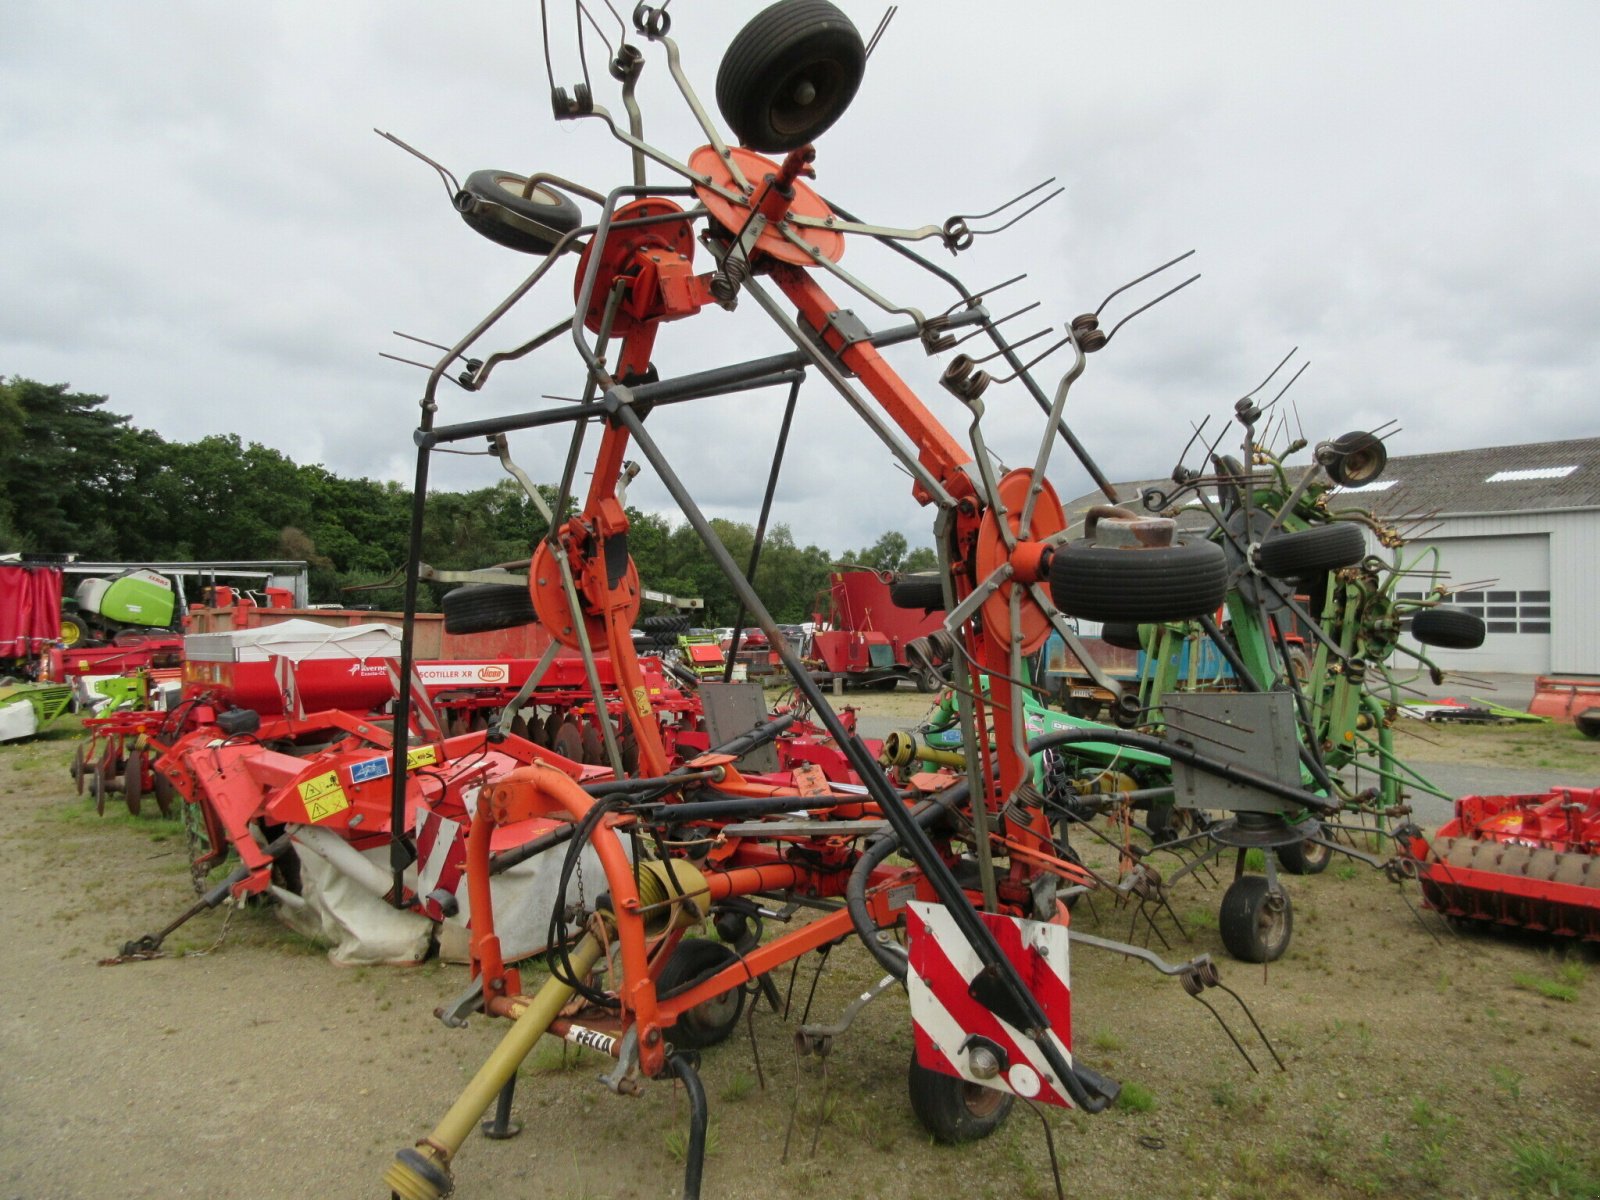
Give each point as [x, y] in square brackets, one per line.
[785, 49]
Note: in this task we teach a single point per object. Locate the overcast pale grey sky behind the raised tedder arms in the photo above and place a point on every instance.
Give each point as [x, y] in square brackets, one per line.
[199, 222]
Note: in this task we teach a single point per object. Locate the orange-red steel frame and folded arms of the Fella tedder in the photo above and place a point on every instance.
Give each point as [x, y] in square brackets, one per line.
[610, 607]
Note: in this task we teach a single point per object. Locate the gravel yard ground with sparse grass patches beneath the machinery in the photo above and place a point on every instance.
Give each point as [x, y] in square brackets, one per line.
[246, 1065]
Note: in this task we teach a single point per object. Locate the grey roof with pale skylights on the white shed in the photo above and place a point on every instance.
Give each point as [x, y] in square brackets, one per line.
[1532, 479]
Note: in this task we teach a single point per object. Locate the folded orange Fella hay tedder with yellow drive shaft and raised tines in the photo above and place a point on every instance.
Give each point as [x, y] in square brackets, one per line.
[982, 868]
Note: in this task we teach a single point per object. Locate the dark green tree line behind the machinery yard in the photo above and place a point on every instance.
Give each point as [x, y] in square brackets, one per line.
[79, 478]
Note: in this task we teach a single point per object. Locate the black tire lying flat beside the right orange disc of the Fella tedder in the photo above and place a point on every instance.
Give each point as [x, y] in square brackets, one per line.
[1170, 583]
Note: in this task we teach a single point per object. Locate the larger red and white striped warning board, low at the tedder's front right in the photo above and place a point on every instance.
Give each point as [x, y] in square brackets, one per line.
[959, 1036]
